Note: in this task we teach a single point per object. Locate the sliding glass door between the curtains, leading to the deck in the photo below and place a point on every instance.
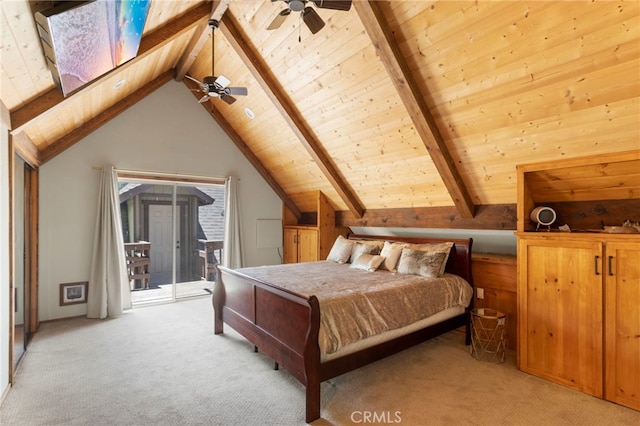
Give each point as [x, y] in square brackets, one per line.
[173, 235]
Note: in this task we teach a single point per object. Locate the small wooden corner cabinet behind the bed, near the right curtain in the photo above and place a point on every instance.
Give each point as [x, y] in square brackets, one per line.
[310, 237]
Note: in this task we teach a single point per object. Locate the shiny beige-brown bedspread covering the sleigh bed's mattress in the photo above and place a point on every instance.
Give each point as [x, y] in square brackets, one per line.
[356, 304]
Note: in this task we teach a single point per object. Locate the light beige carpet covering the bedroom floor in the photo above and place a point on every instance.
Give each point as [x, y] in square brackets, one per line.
[162, 365]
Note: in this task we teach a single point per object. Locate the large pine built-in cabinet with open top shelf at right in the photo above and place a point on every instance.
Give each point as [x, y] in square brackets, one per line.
[579, 292]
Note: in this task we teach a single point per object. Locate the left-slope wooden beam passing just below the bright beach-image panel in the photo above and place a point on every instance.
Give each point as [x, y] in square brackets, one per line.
[53, 99]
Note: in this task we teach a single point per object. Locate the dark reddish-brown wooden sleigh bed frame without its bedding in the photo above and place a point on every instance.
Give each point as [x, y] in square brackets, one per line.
[285, 325]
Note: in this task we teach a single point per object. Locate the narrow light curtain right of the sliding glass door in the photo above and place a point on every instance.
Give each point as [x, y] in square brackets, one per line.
[232, 253]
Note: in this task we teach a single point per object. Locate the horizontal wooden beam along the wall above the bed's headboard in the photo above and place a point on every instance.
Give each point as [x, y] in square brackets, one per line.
[490, 216]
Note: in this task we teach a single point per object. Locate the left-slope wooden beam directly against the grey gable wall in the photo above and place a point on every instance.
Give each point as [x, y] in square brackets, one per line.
[96, 122]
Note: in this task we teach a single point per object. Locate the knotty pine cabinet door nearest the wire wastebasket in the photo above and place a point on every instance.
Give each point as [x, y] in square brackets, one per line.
[560, 312]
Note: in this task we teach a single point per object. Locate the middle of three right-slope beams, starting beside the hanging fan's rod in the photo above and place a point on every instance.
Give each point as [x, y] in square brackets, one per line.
[263, 75]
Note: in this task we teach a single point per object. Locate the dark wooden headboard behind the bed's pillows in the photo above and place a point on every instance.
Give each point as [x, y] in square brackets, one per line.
[459, 262]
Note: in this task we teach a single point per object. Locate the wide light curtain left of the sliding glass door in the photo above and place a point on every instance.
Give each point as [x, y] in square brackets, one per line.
[108, 291]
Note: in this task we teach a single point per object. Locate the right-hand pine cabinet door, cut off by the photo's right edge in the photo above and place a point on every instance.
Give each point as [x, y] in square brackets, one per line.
[622, 327]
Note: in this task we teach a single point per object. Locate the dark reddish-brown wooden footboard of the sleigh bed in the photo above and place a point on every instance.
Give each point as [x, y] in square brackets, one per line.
[282, 324]
